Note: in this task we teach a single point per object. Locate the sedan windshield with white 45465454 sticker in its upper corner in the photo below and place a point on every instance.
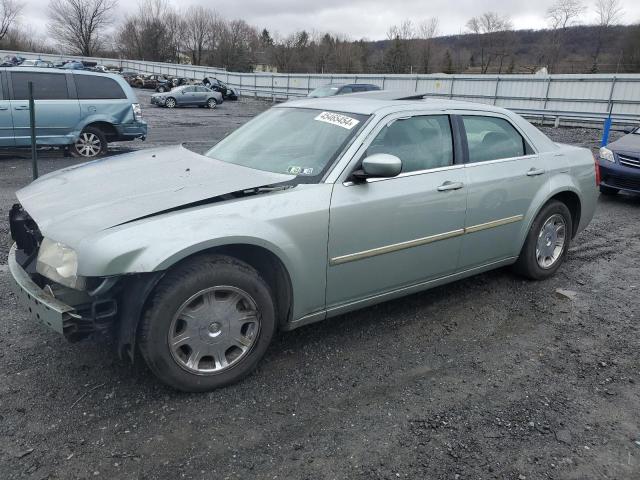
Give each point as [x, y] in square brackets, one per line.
[295, 141]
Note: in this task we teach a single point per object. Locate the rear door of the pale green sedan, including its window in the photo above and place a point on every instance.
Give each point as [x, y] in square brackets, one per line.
[503, 174]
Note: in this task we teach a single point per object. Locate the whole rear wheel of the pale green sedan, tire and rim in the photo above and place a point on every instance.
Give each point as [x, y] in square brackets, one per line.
[547, 242]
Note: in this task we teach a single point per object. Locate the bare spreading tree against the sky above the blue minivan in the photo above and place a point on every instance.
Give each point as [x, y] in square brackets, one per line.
[78, 25]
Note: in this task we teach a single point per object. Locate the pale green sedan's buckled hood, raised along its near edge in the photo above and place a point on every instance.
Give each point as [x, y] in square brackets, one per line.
[77, 201]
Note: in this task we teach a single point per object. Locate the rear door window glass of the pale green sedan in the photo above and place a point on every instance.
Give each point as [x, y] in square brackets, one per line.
[491, 138]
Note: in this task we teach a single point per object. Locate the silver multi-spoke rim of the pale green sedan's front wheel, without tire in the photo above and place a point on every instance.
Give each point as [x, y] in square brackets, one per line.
[213, 330]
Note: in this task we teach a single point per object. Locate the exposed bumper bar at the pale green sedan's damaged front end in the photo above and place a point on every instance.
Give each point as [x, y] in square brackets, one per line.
[41, 305]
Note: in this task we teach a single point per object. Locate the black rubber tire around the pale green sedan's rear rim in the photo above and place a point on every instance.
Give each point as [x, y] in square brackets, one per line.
[527, 263]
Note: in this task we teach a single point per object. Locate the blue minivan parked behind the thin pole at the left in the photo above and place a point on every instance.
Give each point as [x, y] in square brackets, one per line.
[79, 110]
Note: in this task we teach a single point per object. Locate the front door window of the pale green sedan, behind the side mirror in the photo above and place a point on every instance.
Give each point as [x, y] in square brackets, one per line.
[422, 143]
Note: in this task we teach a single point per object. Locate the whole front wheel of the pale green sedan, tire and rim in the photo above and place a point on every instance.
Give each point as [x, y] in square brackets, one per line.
[208, 324]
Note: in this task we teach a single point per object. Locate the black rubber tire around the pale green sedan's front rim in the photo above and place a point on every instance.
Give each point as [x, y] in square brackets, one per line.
[179, 285]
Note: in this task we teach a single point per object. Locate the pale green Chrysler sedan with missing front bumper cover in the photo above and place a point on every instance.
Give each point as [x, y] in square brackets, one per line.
[315, 208]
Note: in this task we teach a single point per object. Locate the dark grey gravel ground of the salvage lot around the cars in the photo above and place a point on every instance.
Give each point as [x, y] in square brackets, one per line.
[491, 377]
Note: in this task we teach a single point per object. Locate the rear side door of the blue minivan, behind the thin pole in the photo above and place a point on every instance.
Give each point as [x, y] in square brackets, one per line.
[57, 109]
